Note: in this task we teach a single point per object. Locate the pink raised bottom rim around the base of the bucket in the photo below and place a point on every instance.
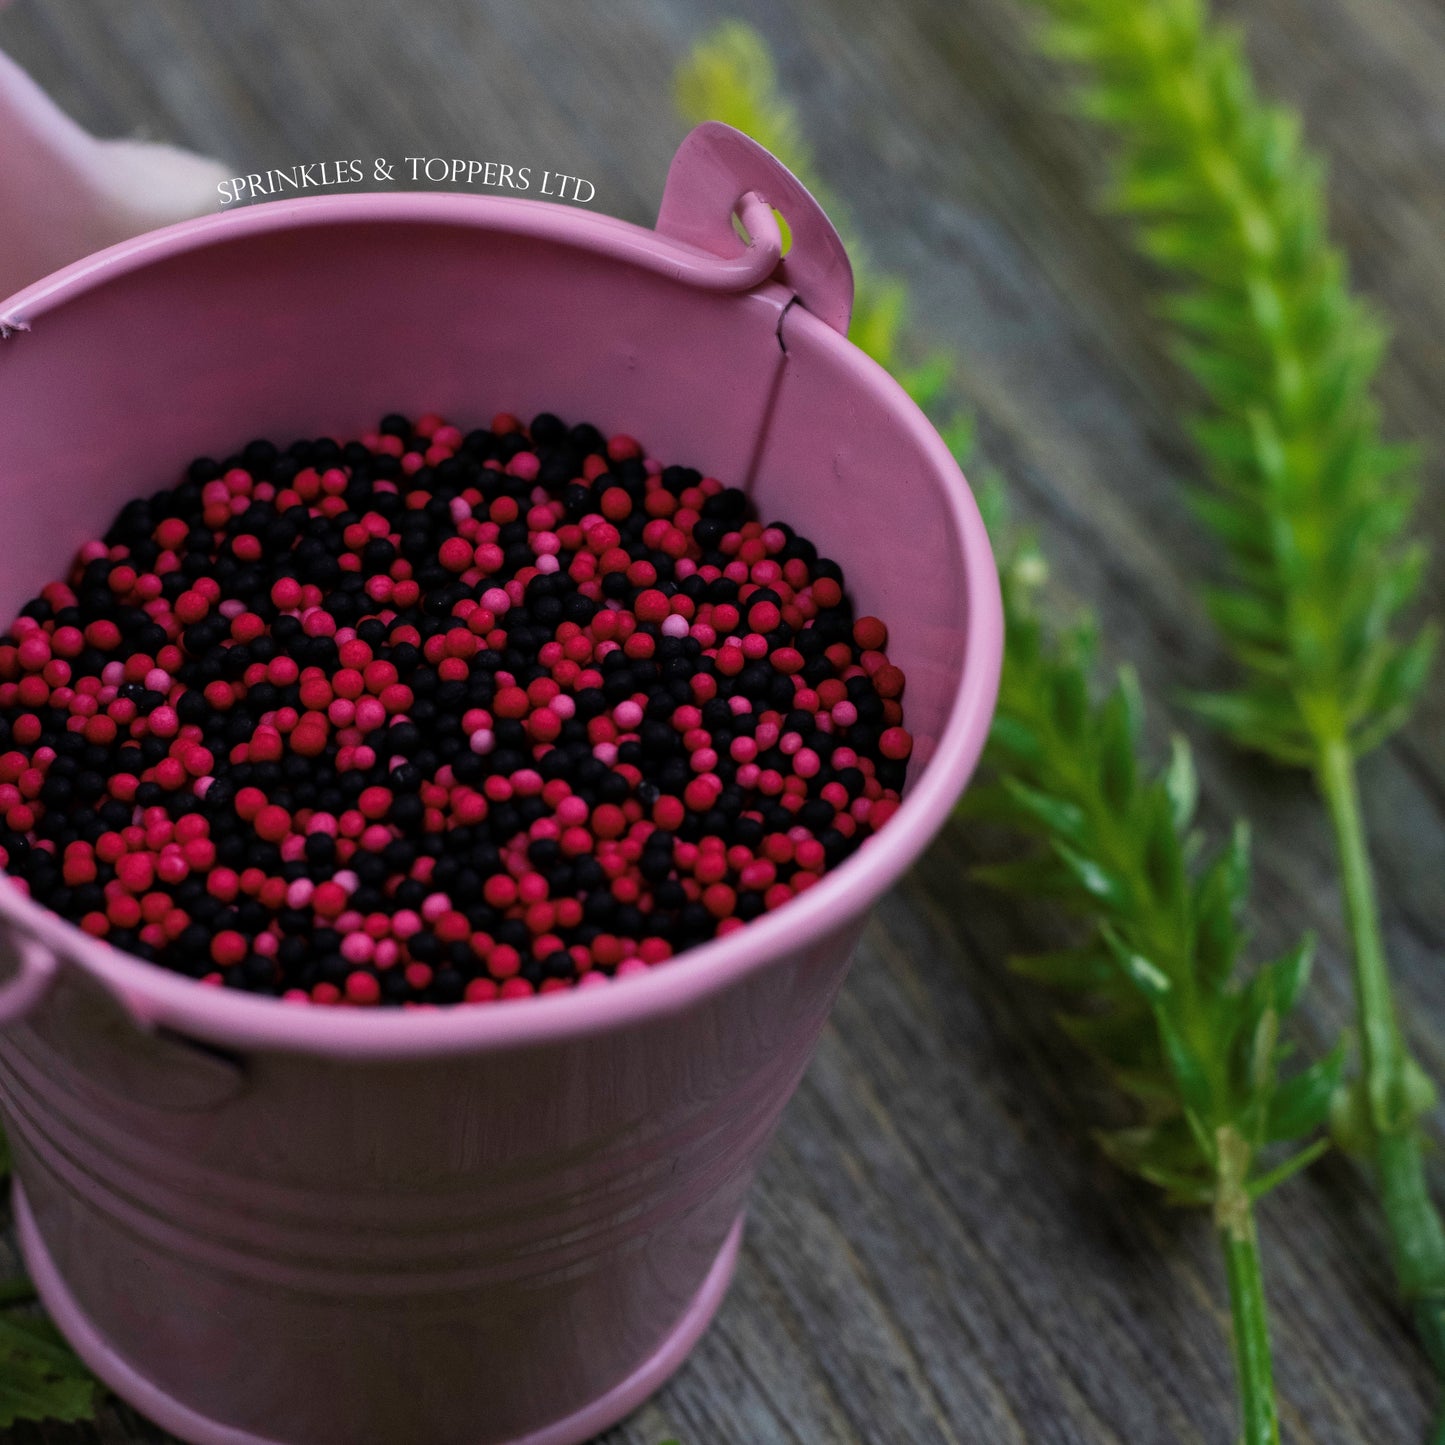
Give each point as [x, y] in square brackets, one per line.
[111, 1368]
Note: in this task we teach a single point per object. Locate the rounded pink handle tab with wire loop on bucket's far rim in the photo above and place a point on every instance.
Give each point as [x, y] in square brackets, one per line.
[719, 173]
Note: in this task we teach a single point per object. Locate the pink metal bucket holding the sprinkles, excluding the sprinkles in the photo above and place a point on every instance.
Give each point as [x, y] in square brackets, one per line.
[486, 1225]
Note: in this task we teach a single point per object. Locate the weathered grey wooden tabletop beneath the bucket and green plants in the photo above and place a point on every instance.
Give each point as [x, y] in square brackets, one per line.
[936, 1252]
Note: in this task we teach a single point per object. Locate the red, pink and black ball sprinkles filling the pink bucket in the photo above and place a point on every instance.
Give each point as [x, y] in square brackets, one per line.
[431, 719]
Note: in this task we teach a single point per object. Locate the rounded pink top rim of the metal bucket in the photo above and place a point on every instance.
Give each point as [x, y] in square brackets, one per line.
[158, 998]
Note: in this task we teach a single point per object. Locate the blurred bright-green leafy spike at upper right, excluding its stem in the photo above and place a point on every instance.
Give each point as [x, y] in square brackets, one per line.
[1311, 504]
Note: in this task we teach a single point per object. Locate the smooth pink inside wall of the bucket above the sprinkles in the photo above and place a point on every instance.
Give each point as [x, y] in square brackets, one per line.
[320, 330]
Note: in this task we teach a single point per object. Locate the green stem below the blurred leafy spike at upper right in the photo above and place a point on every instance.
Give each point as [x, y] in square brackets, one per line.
[1397, 1142]
